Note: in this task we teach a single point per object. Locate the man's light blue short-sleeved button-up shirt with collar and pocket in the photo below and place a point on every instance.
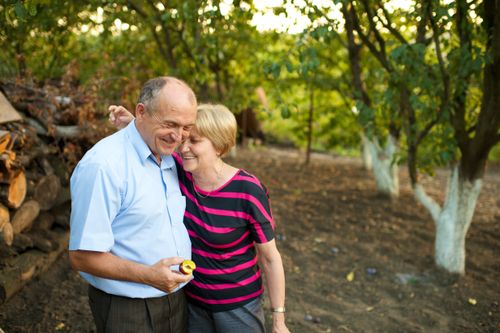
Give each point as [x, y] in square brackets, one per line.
[123, 202]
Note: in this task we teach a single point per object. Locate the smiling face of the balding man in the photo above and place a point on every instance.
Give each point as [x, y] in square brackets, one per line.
[164, 127]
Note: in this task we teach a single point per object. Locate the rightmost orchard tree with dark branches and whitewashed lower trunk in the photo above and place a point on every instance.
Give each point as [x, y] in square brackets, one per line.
[469, 64]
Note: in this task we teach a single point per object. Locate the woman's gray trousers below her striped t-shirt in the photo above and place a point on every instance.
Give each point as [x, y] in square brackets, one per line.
[248, 318]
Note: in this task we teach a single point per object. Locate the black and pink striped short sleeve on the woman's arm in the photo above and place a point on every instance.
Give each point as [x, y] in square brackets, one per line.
[262, 223]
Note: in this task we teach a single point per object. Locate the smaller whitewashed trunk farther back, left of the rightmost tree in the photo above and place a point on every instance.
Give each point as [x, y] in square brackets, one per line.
[385, 170]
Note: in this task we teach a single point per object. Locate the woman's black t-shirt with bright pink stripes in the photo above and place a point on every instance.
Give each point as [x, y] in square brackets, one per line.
[223, 225]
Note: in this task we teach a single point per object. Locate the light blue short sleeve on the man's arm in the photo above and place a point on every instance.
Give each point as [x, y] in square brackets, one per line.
[95, 202]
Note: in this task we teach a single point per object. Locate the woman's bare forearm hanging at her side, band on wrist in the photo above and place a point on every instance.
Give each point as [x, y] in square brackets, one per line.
[270, 261]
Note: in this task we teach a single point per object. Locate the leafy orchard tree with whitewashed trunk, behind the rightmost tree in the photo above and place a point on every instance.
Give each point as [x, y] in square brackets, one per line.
[378, 123]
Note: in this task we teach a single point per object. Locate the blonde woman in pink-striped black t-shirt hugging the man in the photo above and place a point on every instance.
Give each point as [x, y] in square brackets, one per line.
[229, 221]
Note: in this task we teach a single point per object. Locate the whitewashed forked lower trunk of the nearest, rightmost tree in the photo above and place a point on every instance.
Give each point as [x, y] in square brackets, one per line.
[453, 220]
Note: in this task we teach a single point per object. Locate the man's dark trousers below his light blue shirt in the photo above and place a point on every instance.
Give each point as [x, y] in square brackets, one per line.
[117, 314]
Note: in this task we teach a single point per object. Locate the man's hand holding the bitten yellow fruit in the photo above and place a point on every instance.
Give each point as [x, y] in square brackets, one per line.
[163, 278]
